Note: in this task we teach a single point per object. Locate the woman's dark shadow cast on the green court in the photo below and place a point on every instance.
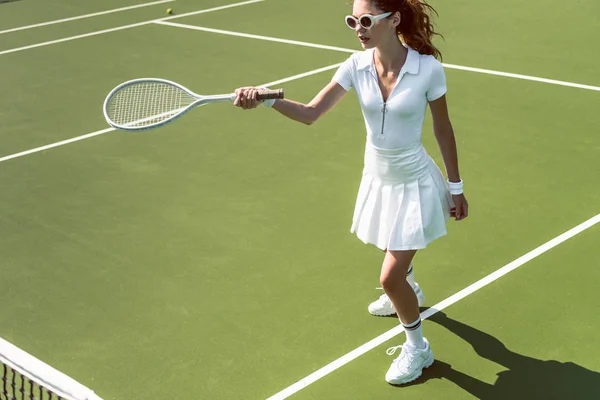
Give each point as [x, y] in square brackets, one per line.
[524, 378]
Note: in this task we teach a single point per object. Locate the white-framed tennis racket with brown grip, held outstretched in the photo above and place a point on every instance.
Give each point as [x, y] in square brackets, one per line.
[148, 103]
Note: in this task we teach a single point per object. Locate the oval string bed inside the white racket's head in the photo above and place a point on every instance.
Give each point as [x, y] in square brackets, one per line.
[146, 103]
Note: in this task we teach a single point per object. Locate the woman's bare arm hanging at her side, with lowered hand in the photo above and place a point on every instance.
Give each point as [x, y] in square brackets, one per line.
[444, 134]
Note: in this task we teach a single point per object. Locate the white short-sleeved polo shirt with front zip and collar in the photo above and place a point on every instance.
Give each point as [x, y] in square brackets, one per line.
[397, 122]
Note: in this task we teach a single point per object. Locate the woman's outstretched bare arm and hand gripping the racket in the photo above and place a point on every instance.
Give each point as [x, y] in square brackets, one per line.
[308, 114]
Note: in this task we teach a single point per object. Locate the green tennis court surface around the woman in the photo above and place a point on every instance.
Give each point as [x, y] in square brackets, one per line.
[212, 259]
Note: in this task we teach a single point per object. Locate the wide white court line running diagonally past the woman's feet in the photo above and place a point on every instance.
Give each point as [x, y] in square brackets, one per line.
[304, 382]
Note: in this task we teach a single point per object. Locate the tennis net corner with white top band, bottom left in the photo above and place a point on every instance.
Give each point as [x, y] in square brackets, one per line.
[24, 377]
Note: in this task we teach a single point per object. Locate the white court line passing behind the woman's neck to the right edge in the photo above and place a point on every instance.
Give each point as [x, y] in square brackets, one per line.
[341, 49]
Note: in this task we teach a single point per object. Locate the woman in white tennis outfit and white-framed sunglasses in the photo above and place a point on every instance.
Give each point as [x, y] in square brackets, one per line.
[403, 200]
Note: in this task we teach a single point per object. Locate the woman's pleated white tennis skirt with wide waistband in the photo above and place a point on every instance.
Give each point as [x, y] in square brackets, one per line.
[403, 201]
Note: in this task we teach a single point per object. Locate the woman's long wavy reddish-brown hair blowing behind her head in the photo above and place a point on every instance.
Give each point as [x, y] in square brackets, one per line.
[416, 28]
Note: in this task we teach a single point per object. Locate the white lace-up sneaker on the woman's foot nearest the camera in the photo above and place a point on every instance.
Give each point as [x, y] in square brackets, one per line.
[409, 365]
